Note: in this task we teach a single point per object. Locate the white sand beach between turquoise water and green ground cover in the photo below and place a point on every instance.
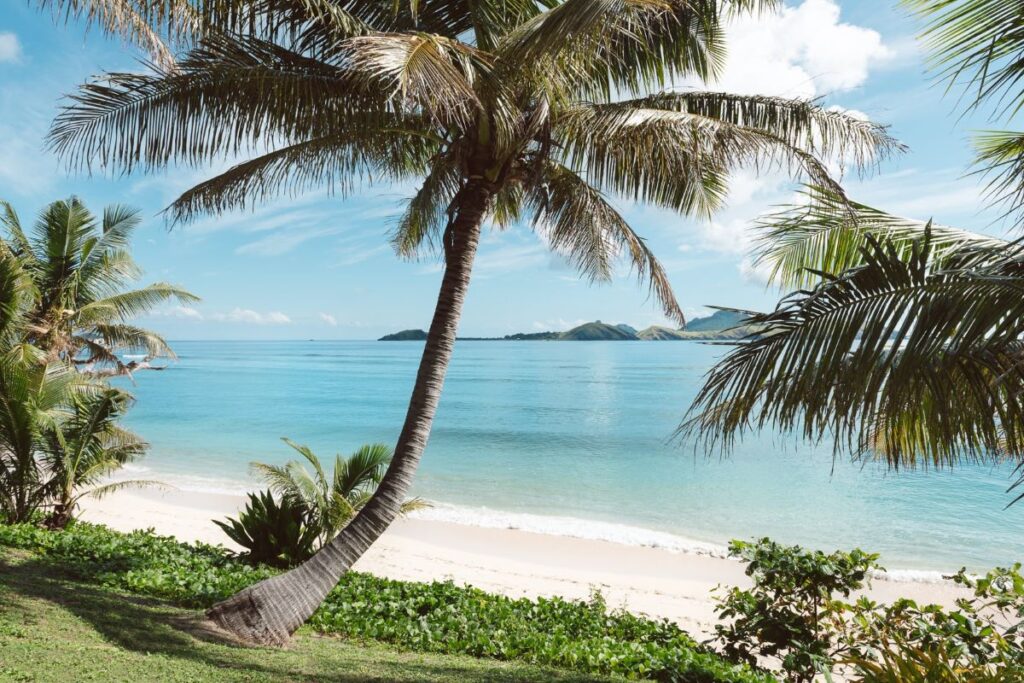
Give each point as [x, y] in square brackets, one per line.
[659, 583]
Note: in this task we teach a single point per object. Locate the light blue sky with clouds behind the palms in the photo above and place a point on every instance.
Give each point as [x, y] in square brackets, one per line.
[320, 267]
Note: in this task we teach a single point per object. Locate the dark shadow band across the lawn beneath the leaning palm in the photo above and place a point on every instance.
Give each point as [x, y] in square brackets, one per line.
[147, 627]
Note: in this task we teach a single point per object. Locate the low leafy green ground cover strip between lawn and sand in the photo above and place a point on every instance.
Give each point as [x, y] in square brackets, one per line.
[438, 618]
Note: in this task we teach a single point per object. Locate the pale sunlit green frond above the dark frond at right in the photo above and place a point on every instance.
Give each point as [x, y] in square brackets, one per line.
[828, 234]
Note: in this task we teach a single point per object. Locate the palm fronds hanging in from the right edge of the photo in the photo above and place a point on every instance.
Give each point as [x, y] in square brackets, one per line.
[907, 344]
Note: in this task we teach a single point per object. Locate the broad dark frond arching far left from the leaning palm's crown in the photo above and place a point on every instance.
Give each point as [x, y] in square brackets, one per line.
[227, 98]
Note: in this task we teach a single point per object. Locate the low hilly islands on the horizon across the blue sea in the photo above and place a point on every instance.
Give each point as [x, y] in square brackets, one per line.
[722, 325]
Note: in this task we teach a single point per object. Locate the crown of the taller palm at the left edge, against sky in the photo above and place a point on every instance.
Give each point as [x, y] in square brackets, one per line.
[79, 271]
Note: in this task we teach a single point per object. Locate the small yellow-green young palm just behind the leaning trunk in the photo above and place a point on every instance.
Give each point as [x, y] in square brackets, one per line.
[331, 501]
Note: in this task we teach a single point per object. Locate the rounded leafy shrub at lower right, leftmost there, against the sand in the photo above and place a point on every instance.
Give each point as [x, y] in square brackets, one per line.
[792, 613]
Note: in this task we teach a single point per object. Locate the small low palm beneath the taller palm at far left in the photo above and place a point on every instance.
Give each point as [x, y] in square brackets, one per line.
[86, 450]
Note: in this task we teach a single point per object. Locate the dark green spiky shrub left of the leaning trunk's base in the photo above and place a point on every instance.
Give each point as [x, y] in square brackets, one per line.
[273, 533]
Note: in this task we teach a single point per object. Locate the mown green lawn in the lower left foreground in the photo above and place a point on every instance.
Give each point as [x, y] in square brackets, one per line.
[56, 629]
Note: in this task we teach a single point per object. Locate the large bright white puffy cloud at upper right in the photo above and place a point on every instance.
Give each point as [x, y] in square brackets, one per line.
[802, 52]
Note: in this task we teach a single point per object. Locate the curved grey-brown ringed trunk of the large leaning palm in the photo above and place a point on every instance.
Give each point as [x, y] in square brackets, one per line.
[271, 612]
